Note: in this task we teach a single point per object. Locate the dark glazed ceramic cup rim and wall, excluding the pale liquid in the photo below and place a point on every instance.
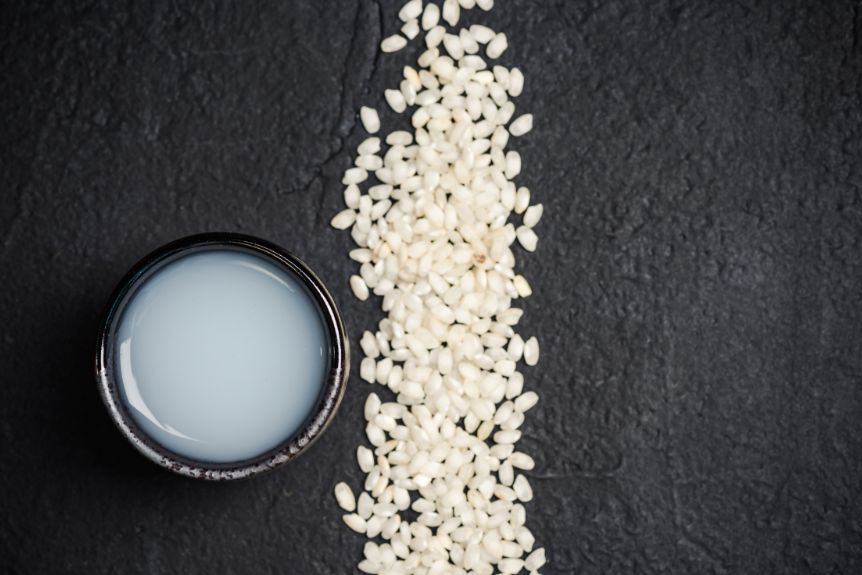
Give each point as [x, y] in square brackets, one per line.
[320, 417]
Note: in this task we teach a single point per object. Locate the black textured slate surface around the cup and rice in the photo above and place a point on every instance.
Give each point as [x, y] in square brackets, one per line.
[698, 282]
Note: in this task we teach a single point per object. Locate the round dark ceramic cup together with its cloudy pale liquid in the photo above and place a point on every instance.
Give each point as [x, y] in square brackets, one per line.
[221, 356]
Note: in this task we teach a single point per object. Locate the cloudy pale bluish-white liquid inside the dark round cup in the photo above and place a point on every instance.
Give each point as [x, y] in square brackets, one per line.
[221, 355]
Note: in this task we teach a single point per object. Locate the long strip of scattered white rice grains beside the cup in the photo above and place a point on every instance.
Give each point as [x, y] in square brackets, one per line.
[444, 487]
